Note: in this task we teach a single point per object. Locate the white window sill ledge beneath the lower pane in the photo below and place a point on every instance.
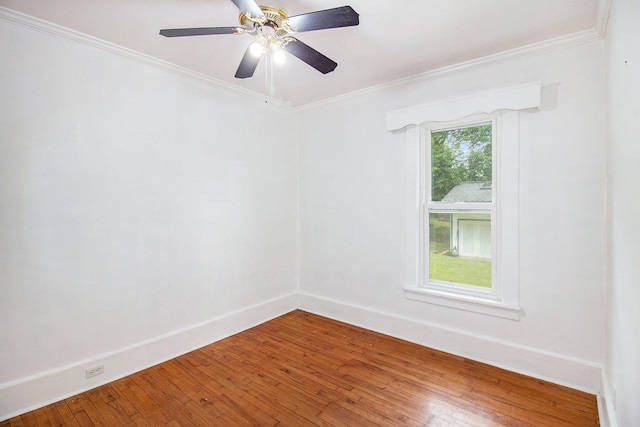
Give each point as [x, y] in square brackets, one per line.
[463, 302]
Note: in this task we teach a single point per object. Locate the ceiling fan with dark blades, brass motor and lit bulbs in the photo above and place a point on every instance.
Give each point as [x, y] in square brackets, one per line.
[272, 29]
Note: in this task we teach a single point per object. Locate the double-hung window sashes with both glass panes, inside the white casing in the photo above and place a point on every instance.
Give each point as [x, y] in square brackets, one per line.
[459, 208]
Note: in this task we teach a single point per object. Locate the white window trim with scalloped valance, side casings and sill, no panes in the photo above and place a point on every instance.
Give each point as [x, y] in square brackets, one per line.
[504, 103]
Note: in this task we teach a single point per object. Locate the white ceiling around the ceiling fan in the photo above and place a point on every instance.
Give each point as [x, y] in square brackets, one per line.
[395, 39]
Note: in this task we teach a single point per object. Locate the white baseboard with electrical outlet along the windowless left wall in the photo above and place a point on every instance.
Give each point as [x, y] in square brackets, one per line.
[29, 393]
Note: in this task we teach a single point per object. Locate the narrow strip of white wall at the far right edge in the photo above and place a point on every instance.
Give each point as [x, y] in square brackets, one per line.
[623, 320]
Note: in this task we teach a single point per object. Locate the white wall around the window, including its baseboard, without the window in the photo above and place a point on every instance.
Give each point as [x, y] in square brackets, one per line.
[352, 180]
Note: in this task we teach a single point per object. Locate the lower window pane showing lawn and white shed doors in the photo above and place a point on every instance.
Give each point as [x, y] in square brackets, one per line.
[460, 248]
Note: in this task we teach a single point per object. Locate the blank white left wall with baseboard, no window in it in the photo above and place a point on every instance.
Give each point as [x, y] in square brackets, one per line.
[139, 207]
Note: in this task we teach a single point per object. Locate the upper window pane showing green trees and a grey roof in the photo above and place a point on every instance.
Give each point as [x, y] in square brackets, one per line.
[461, 164]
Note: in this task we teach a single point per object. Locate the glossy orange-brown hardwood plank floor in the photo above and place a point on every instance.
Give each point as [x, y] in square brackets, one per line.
[301, 369]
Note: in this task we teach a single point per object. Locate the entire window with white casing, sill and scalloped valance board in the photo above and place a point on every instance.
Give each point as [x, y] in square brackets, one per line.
[462, 247]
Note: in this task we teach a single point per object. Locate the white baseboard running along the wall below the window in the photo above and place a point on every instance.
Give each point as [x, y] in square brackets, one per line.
[560, 369]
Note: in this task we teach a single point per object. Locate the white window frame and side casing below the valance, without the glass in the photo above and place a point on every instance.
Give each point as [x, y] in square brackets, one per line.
[502, 300]
